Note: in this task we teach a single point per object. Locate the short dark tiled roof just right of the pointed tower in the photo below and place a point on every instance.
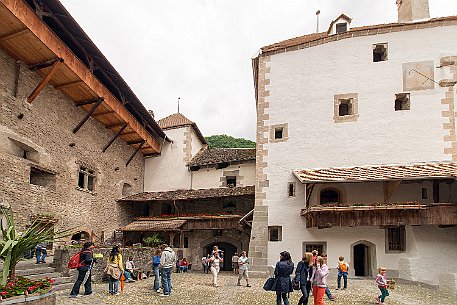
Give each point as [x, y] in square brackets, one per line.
[221, 155]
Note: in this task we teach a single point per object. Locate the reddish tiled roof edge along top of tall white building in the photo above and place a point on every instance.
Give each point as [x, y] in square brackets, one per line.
[315, 38]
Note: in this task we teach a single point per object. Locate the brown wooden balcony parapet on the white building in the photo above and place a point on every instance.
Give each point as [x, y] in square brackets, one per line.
[444, 214]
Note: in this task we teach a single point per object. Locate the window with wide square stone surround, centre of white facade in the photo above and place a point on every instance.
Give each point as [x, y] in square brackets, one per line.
[345, 107]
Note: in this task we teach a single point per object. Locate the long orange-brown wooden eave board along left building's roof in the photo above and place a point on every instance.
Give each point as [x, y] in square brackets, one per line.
[29, 19]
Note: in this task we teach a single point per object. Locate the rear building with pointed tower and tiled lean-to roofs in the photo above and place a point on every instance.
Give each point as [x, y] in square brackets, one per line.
[194, 197]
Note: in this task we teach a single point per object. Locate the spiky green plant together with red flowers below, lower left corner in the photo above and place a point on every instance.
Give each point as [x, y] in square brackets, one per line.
[13, 246]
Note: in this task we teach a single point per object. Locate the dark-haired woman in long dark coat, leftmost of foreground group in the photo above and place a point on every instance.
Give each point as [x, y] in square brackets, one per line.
[284, 268]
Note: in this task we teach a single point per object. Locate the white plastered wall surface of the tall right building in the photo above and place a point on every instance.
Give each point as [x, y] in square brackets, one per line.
[301, 90]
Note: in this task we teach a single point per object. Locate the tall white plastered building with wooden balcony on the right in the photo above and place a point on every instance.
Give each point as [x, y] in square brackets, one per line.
[356, 147]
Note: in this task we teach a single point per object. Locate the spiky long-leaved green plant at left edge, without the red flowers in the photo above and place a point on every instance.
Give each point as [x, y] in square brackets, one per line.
[13, 245]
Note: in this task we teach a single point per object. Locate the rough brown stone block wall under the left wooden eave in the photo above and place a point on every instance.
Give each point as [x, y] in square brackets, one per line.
[44, 130]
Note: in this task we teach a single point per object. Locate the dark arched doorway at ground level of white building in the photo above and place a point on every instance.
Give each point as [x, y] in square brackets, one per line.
[363, 258]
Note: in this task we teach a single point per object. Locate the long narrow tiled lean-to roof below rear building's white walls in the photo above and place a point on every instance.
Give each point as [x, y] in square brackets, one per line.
[190, 194]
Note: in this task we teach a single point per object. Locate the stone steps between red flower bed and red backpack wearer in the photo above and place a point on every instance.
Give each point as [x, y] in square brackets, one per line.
[29, 269]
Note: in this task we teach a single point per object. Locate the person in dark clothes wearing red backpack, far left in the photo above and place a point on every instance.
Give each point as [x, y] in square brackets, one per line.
[83, 261]
